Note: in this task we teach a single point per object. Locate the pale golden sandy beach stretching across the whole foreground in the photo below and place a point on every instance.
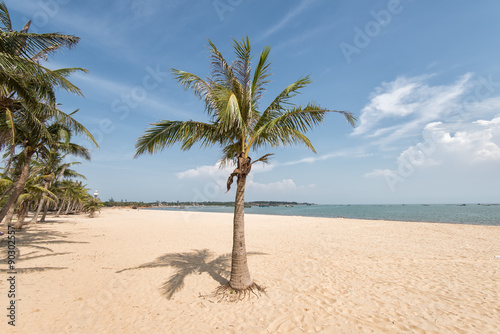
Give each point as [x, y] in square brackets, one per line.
[144, 271]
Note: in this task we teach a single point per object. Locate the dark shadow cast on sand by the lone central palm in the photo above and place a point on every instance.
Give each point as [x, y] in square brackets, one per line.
[195, 262]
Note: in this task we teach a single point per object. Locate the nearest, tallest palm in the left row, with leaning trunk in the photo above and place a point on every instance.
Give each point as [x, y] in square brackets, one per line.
[27, 98]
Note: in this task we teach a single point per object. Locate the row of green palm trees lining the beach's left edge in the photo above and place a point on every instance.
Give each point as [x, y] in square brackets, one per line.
[35, 134]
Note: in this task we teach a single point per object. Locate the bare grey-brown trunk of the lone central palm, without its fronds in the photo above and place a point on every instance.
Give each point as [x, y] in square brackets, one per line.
[240, 275]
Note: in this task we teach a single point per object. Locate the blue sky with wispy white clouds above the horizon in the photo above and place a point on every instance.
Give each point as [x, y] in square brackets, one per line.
[422, 77]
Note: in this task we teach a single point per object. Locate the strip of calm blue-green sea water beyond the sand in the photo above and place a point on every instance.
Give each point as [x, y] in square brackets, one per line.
[452, 213]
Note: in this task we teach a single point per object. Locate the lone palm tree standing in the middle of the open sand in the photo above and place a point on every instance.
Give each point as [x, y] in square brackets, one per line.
[238, 126]
